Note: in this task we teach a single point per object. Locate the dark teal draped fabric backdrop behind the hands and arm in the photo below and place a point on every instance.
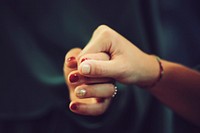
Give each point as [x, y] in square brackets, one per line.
[35, 36]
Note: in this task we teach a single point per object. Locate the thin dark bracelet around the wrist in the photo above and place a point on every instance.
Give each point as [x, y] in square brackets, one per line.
[161, 72]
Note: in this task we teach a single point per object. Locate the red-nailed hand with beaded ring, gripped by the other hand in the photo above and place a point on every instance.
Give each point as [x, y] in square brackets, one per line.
[89, 96]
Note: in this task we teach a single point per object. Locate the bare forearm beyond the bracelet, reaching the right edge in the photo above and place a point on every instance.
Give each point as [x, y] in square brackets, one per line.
[180, 90]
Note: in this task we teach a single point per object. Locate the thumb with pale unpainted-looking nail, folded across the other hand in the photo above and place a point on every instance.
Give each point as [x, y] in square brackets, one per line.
[97, 68]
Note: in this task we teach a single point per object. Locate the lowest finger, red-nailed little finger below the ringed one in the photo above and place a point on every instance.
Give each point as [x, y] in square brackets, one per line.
[89, 109]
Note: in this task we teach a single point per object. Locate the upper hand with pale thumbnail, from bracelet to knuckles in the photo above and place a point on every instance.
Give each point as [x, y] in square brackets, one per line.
[127, 63]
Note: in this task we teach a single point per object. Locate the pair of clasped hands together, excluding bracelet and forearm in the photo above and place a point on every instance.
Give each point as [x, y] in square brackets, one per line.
[108, 57]
